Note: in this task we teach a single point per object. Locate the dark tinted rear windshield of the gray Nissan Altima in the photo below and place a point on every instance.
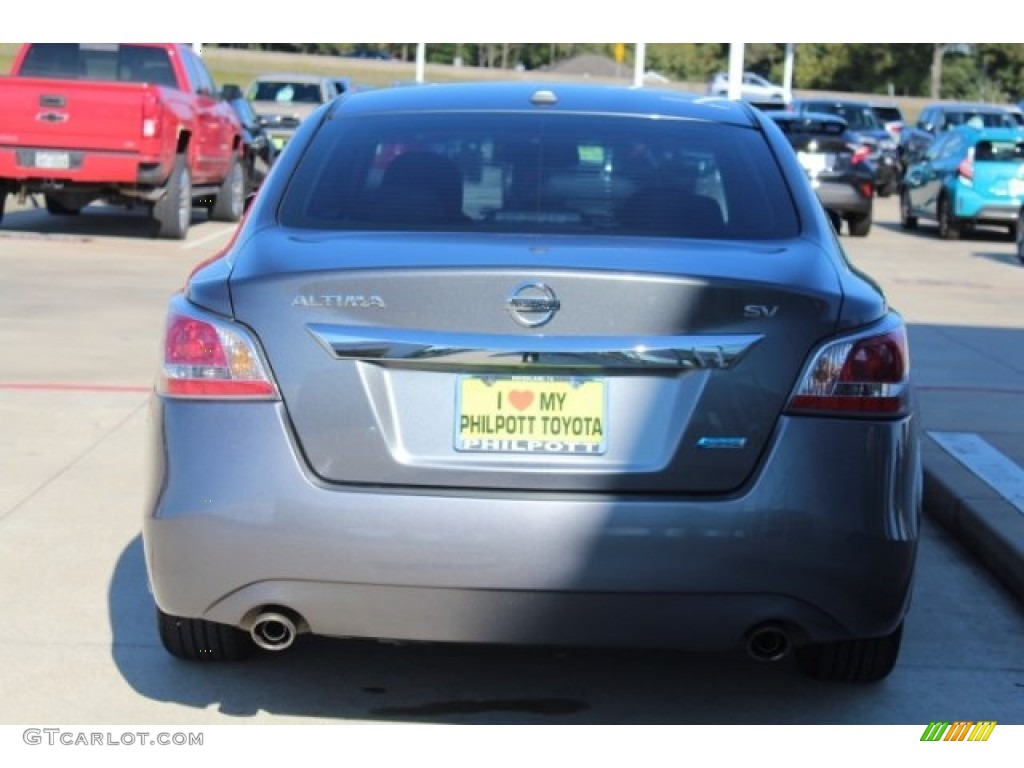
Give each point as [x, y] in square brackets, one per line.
[528, 174]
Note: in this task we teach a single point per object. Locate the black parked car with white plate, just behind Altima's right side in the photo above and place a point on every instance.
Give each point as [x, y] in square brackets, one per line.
[837, 164]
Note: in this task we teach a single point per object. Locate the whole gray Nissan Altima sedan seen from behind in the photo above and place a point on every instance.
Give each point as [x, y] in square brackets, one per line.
[536, 364]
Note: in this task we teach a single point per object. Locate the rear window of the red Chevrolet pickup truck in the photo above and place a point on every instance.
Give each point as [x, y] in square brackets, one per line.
[129, 64]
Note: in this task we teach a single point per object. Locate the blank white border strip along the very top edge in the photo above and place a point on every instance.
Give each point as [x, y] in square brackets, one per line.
[522, 21]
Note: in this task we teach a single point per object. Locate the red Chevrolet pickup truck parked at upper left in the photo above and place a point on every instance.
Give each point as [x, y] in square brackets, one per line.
[124, 123]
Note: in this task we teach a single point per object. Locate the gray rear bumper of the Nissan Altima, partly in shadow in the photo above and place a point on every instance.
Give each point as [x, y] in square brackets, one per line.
[237, 524]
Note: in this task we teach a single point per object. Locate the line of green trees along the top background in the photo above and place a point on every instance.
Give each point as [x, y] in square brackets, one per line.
[986, 72]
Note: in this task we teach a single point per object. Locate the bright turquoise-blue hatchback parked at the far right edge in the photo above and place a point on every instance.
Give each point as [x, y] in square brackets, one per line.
[969, 178]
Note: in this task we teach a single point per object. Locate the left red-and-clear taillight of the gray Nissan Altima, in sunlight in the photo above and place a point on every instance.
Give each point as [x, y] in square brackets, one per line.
[206, 359]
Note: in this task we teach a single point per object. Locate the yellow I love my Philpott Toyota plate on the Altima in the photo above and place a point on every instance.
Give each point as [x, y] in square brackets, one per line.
[531, 415]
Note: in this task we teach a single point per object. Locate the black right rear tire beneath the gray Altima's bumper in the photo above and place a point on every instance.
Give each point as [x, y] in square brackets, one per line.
[862, 661]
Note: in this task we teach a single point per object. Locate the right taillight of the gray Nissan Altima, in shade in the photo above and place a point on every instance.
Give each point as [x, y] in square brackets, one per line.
[867, 375]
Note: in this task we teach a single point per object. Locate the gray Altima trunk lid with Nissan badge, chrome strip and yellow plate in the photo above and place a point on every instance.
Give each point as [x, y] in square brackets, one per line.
[626, 365]
